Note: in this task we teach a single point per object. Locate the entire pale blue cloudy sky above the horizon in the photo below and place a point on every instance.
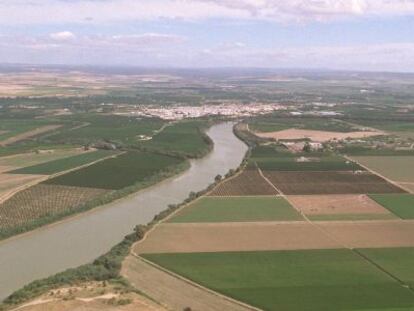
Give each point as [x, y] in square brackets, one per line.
[366, 35]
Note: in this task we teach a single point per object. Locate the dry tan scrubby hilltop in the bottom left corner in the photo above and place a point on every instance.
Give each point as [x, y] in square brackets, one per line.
[90, 297]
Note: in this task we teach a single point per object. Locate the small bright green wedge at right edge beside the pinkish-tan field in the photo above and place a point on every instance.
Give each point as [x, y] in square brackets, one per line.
[401, 205]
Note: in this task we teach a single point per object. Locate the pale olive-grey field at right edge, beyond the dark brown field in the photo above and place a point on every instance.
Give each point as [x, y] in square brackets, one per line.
[397, 168]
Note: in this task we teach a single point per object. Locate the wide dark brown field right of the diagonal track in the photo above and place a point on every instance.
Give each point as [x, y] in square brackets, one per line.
[330, 182]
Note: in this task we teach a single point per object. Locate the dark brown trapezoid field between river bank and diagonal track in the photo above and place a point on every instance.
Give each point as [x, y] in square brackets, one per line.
[249, 182]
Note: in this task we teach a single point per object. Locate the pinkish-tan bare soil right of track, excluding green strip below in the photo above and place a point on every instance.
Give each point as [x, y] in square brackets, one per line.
[336, 204]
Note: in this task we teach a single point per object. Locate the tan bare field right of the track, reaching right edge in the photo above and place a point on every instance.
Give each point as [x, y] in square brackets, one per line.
[372, 234]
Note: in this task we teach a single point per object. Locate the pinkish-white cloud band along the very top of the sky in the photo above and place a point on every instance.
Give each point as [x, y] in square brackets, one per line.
[14, 12]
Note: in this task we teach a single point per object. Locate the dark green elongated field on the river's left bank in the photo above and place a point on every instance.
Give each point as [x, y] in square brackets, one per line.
[117, 173]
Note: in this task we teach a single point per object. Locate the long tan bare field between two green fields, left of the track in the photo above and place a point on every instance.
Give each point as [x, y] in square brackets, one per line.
[209, 237]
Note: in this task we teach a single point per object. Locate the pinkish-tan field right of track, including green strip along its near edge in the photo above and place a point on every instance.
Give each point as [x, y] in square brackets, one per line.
[340, 207]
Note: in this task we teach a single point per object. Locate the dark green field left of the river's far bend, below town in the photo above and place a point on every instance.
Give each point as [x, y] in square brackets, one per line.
[184, 138]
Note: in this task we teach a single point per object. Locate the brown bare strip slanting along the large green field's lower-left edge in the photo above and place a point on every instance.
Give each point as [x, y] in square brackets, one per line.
[174, 293]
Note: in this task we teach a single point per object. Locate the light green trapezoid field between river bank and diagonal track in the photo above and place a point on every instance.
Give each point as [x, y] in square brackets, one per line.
[234, 209]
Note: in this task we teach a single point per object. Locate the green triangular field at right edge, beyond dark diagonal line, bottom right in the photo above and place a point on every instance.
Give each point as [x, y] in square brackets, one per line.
[397, 261]
